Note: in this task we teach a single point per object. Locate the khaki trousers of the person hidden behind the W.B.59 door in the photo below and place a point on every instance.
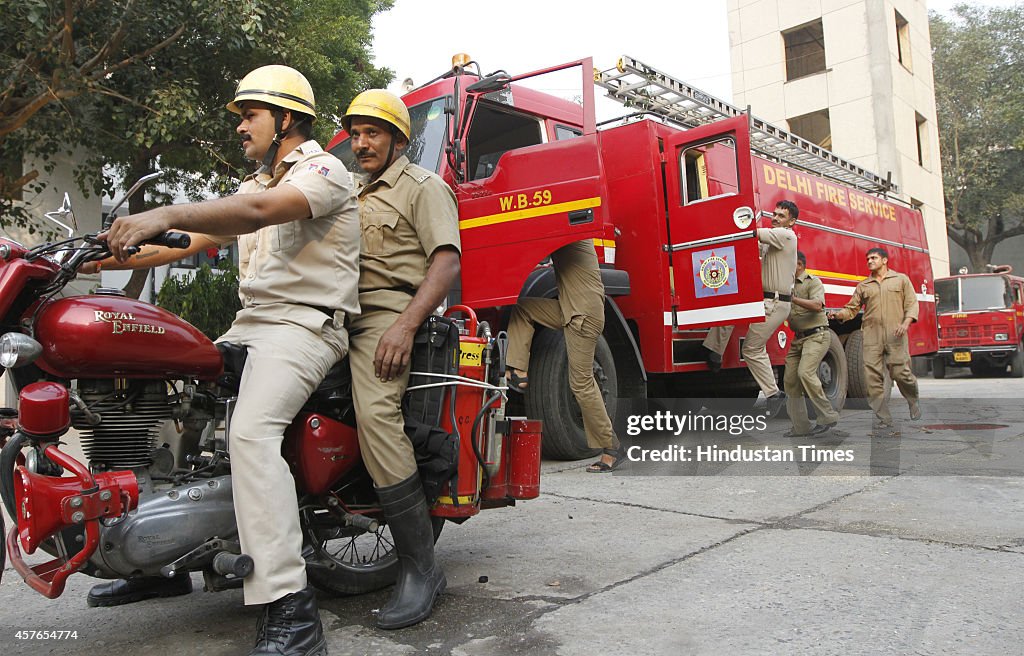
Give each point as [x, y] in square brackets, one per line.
[581, 341]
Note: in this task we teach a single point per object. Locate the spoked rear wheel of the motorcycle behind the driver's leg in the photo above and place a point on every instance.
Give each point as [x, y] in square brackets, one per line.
[360, 561]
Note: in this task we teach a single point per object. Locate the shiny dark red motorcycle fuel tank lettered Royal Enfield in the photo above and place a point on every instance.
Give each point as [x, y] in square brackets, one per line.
[103, 336]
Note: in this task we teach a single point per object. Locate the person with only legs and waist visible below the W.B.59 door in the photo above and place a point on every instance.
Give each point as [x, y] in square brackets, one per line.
[579, 313]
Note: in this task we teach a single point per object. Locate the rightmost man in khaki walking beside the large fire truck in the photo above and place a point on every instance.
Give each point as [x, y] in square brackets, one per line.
[890, 307]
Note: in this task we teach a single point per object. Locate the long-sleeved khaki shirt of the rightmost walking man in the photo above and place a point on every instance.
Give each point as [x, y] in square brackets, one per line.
[887, 304]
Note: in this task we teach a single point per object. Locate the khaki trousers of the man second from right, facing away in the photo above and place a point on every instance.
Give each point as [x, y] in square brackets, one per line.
[802, 377]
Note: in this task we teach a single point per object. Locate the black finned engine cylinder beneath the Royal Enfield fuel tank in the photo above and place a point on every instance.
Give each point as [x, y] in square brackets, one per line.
[121, 426]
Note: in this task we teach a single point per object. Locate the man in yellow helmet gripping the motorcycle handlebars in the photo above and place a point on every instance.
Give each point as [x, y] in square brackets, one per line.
[295, 221]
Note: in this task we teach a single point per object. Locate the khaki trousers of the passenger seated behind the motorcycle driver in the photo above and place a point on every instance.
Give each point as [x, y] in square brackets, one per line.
[387, 450]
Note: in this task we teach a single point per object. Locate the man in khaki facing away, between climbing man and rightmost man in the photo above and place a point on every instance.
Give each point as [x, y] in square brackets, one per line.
[810, 343]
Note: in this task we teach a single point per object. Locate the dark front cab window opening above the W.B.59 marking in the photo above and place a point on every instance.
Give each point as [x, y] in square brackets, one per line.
[494, 134]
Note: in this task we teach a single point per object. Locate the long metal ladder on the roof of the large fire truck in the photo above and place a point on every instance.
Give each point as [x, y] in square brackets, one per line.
[639, 86]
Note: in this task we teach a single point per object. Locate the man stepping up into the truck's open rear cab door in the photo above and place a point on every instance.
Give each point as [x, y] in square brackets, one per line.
[779, 267]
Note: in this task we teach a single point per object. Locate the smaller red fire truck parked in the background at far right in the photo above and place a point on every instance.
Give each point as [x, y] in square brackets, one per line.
[982, 323]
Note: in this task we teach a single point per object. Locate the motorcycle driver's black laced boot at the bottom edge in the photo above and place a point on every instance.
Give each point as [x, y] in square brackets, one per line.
[291, 627]
